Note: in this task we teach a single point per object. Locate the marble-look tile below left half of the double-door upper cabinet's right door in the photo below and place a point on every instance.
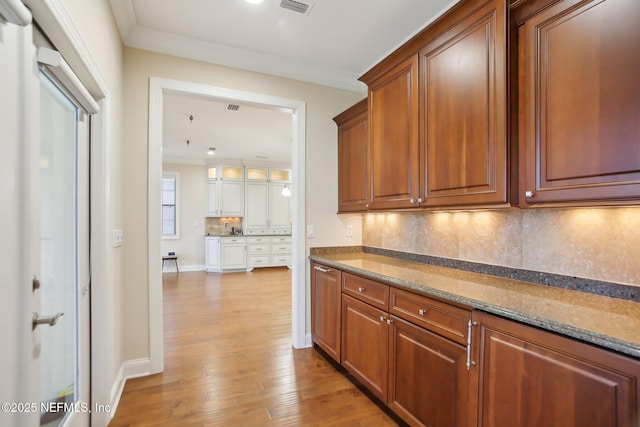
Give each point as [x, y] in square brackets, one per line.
[437, 235]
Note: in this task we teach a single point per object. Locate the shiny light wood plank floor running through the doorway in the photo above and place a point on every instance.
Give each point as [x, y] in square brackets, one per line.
[229, 362]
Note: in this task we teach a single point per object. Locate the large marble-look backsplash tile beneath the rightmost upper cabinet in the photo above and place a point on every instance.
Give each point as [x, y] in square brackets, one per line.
[576, 242]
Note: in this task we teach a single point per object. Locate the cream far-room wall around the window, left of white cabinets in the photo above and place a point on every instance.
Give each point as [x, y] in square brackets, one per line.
[190, 246]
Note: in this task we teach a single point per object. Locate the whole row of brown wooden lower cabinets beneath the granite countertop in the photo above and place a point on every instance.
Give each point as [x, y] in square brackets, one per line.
[417, 356]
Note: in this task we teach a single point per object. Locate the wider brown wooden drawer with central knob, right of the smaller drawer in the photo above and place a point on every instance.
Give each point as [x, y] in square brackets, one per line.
[444, 319]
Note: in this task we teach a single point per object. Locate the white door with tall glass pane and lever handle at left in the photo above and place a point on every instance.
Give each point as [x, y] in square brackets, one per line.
[64, 258]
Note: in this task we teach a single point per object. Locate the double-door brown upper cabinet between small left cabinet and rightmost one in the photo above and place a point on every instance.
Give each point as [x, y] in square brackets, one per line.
[437, 114]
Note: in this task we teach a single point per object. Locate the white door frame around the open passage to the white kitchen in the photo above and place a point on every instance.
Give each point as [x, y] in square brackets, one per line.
[157, 88]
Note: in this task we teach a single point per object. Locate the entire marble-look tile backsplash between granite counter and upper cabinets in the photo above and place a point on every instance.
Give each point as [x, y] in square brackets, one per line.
[594, 243]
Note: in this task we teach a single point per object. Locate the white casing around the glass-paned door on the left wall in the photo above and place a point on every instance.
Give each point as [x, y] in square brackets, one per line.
[56, 23]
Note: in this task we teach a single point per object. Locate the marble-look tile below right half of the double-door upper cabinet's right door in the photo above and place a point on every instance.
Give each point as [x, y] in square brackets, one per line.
[491, 237]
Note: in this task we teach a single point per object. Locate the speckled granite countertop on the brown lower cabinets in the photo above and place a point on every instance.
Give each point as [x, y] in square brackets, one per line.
[609, 322]
